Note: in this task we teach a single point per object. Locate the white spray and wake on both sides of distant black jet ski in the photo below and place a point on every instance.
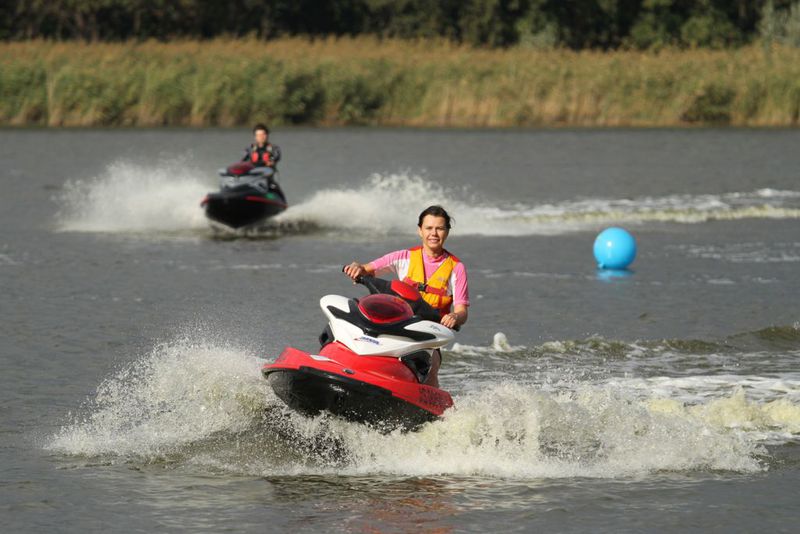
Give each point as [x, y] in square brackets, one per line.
[165, 198]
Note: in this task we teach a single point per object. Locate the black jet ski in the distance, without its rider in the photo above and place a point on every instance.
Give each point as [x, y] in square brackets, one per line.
[248, 195]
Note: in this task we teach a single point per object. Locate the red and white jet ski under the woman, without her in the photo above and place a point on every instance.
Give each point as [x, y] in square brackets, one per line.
[375, 353]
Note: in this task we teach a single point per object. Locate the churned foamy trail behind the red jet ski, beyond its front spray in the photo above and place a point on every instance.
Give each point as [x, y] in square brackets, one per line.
[767, 408]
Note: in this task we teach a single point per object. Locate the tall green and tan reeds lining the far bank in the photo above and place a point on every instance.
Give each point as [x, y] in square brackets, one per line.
[389, 82]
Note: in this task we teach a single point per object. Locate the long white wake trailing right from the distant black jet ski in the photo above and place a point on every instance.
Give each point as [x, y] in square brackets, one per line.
[387, 204]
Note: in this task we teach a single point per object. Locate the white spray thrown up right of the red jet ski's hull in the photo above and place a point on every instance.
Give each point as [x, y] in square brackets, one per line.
[518, 431]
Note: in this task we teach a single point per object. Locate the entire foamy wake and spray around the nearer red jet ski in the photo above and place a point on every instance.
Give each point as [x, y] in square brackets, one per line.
[204, 403]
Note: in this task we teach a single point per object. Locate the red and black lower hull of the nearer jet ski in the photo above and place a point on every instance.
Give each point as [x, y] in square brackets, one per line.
[379, 391]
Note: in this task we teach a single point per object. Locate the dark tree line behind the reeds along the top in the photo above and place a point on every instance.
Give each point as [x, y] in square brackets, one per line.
[575, 24]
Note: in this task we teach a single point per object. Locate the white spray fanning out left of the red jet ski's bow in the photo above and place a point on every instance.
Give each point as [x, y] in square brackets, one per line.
[182, 392]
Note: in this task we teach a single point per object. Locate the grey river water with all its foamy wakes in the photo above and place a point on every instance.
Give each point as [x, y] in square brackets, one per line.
[132, 334]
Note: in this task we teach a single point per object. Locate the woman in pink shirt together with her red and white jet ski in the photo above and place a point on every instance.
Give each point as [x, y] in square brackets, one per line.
[380, 355]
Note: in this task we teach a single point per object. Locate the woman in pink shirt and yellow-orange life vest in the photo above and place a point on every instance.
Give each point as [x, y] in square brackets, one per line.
[440, 276]
